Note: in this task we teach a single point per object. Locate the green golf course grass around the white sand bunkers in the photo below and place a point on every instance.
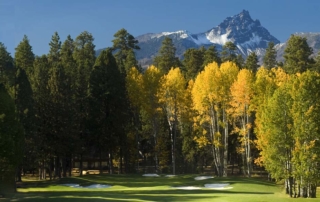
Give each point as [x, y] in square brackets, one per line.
[138, 188]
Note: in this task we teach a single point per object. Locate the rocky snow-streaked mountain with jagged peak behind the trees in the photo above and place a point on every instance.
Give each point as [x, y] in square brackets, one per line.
[247, 34]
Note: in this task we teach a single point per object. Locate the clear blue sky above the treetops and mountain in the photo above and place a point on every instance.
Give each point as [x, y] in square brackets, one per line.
[39, 19]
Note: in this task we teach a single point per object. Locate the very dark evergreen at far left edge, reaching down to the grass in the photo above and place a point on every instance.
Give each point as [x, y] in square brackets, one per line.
[11, 144]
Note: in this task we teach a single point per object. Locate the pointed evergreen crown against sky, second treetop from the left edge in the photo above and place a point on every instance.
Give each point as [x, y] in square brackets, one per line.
[24, 56]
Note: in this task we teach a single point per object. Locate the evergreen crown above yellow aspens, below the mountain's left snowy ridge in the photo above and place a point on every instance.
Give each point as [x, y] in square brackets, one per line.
[166, 59]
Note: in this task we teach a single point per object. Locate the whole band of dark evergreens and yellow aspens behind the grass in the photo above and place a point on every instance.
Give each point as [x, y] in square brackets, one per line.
[209, 109]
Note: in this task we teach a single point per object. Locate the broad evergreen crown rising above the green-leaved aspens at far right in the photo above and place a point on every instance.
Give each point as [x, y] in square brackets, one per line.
[297, 55]
